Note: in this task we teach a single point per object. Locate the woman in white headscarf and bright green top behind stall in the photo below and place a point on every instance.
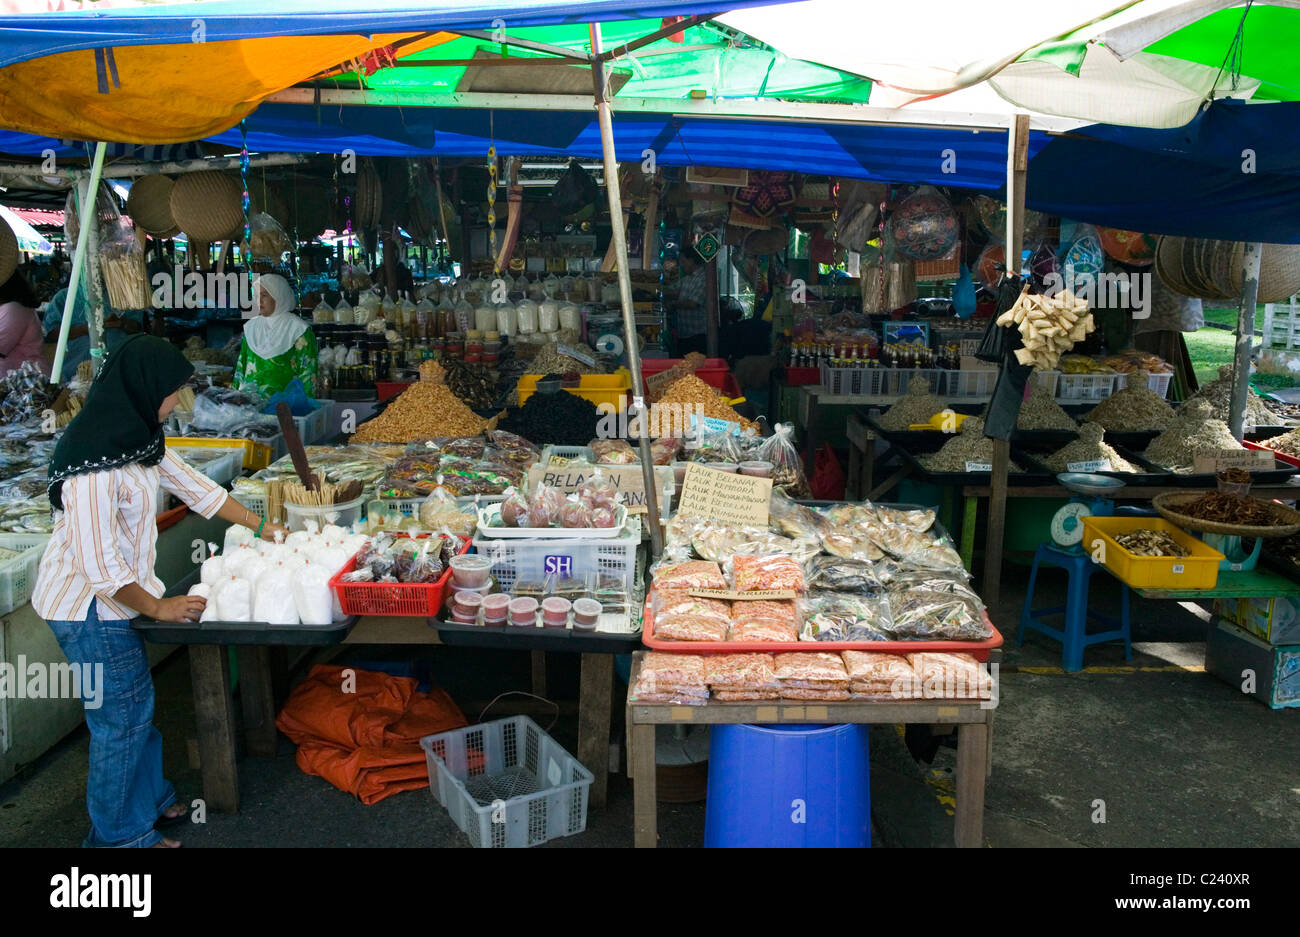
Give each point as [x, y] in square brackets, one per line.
[278, 346]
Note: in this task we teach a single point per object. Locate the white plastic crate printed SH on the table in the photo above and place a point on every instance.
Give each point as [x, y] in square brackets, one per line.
[515, 561]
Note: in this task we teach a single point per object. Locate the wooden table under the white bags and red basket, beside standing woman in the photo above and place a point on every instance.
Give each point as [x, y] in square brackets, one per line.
[214, 704]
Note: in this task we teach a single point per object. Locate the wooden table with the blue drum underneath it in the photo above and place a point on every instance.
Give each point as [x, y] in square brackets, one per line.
[973, 719]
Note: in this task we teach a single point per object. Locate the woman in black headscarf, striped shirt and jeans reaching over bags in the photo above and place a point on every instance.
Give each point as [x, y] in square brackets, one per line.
[98, 574]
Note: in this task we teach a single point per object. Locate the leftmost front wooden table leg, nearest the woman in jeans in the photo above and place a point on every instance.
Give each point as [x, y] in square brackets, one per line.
[214, 712]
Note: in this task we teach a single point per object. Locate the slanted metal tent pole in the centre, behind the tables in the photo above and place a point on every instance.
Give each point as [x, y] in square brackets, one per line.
[621, 249]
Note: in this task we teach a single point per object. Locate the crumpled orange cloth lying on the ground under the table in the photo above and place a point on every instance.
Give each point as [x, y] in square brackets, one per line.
[366, 743]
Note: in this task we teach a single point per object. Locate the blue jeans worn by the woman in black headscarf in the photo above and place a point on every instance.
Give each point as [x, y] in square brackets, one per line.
[125, 789]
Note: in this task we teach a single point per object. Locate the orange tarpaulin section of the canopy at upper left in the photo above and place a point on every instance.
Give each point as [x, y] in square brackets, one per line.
[164, 94]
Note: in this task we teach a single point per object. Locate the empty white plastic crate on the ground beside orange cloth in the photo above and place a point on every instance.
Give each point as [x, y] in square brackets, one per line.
[508, 784]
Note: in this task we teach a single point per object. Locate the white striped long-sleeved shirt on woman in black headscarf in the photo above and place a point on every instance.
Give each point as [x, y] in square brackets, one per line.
[106, 537]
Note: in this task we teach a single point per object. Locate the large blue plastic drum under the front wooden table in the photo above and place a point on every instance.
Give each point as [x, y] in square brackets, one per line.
[788, 787]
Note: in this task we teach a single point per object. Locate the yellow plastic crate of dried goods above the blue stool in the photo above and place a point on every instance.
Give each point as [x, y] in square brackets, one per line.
[1199, 571]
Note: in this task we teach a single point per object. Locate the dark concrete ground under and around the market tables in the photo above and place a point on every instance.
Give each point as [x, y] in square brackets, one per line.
[1164, 753]
